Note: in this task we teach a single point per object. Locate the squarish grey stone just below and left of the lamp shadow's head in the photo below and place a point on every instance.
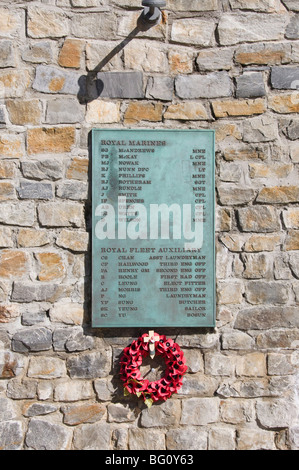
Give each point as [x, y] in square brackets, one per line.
[64, 111]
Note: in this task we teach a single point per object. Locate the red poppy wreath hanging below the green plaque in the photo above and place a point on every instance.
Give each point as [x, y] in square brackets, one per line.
[161, 389]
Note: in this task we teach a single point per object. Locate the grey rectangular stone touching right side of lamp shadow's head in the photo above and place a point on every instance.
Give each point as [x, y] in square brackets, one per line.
[120, 84]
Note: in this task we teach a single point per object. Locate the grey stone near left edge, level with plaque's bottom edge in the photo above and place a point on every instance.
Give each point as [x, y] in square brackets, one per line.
[32, 339]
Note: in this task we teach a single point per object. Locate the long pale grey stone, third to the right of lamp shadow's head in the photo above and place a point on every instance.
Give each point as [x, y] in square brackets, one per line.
[212, 85]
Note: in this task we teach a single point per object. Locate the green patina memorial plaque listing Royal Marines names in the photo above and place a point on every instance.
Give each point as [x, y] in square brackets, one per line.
[153, 218]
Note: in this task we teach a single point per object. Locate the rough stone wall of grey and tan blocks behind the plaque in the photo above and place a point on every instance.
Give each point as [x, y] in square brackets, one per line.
[228, 65]
